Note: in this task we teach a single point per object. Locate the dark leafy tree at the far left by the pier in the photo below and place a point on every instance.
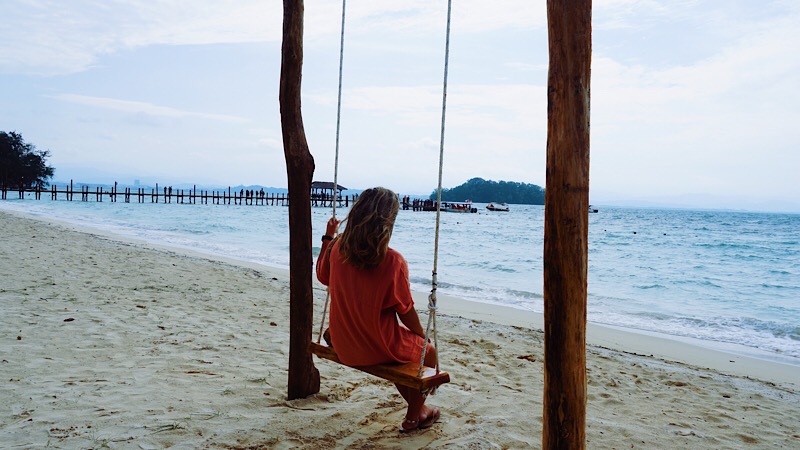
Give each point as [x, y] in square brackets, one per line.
[21, 164]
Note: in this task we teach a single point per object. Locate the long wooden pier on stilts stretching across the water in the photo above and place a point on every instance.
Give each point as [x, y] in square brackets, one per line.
[169, 195]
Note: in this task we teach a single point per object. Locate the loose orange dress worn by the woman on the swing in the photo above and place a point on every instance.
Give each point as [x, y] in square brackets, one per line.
[364, 306]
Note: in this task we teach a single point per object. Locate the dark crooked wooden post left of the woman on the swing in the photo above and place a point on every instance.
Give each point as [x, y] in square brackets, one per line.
[303, 375]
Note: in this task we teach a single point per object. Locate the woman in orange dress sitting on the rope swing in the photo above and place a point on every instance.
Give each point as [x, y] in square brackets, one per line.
[370, 291]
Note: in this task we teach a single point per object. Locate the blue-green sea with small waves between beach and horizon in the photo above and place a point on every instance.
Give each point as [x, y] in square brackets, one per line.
[728, 280]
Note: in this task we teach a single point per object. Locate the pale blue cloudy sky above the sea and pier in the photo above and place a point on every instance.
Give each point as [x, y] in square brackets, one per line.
[694, 103]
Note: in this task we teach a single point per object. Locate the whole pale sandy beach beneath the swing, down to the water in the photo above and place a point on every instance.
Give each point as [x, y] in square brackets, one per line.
[112, 343]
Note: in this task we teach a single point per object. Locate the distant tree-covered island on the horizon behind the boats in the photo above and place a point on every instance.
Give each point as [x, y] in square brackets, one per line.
[484, 191]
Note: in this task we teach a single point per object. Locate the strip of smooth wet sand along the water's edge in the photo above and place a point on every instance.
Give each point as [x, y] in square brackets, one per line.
[669, 348]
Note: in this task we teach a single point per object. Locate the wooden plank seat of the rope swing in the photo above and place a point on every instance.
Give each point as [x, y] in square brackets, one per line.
[402, 374]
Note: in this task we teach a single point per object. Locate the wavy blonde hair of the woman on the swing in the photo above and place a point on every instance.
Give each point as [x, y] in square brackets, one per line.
[370, 222]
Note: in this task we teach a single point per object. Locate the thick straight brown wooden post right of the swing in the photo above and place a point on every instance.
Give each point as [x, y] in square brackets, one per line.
[566, 223]
